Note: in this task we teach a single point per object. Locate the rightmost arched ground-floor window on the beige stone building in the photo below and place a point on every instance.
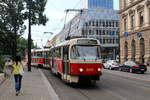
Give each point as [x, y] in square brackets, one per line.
[142, 50]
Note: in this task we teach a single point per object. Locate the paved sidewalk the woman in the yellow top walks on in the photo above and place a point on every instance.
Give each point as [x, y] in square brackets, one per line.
[34, 87]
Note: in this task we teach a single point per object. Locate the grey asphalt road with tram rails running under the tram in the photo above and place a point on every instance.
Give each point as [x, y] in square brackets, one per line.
[114, 85]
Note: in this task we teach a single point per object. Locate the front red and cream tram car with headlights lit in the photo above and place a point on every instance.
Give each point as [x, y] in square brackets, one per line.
[77, 59]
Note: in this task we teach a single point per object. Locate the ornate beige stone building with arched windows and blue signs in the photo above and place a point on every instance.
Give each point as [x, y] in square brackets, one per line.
[135, 30]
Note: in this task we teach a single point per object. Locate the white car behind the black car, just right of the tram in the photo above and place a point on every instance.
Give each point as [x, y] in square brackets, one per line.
[111, 64]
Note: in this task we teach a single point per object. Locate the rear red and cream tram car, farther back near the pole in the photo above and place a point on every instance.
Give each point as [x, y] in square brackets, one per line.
[39, 57]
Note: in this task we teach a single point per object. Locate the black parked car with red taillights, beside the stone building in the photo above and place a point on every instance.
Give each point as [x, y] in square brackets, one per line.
[131, 66]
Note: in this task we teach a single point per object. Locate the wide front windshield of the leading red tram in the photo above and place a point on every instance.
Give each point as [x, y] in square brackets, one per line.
[86, 52]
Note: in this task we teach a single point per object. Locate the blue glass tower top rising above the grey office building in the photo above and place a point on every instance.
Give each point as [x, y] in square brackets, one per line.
[102, 4]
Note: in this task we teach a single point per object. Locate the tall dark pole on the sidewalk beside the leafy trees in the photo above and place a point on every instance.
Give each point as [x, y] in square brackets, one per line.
[29, 37]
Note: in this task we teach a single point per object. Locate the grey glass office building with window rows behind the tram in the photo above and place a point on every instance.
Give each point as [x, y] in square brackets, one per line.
[96, 23]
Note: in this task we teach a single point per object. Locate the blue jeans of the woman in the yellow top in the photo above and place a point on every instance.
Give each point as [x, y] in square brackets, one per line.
[18, 79]
